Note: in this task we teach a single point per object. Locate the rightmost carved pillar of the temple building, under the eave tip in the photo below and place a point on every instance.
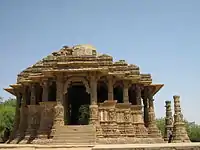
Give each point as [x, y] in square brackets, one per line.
[153, 130]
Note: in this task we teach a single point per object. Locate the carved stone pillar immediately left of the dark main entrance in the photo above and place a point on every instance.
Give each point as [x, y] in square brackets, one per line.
[58, 109]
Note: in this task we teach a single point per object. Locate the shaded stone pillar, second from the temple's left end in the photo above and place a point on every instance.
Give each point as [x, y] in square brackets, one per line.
[23, 114]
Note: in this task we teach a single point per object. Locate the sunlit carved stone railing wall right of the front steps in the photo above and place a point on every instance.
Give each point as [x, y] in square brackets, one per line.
[121, 119]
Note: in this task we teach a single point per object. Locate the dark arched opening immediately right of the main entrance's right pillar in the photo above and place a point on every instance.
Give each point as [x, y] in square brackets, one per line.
[102, 92]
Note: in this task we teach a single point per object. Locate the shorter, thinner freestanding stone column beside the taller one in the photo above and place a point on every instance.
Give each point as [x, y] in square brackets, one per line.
[168, 120]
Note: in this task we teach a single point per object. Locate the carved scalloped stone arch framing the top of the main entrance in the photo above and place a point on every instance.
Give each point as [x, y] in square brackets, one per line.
[76, 79]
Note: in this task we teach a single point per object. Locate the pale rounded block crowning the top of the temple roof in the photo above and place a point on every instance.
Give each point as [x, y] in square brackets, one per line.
[84, 50]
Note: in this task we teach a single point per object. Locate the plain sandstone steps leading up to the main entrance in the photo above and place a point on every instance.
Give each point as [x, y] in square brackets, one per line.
[81, 134]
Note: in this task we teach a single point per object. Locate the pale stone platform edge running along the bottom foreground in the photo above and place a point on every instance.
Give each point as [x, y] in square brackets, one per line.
[163, 146]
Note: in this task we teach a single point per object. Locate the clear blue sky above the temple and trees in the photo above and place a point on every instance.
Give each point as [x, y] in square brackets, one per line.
[162, 37]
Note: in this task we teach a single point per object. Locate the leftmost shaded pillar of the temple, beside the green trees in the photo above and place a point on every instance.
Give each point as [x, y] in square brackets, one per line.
[17, 116]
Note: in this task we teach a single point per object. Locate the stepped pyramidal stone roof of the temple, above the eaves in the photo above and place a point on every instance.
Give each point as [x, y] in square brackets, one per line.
[80, 58]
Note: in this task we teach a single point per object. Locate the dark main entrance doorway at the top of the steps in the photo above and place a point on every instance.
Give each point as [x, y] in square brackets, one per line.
[77, 102]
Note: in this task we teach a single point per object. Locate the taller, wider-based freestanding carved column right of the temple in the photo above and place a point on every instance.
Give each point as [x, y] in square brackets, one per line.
[179, 130]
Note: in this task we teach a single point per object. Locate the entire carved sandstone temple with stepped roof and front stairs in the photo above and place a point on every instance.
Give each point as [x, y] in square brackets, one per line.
[77, 95]
